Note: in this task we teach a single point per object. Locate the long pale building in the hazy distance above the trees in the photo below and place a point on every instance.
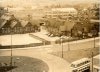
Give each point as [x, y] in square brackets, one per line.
[61, 13]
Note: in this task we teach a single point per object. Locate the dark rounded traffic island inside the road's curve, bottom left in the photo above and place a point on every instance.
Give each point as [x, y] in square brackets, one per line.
[22, 64]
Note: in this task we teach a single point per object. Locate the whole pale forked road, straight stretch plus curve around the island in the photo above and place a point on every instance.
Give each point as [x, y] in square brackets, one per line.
[56, 64]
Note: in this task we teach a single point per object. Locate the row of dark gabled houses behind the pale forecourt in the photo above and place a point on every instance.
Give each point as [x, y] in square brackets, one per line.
[10, 25]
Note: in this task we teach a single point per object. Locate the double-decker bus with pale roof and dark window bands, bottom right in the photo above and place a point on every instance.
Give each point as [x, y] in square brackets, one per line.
[82, 65]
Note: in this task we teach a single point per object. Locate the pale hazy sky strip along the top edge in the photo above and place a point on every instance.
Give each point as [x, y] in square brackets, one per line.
[41, 2]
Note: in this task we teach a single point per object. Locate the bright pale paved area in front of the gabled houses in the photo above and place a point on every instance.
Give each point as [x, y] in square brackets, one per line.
[17, 39]
